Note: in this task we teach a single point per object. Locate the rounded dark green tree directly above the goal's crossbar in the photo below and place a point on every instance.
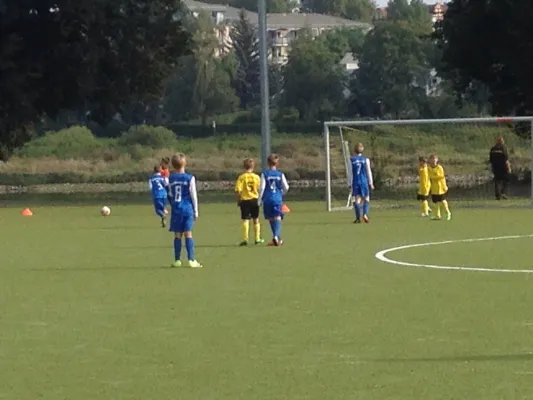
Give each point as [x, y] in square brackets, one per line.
[393, 73]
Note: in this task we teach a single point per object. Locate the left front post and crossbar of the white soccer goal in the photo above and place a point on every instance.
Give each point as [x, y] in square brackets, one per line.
[497, 120]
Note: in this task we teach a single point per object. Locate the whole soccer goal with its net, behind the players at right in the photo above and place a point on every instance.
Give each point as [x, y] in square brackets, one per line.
[462, 145]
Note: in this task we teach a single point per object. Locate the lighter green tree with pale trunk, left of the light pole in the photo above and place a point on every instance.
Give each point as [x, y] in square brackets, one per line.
[201, 85]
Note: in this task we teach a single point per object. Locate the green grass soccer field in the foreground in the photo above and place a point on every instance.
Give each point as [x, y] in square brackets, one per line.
[90, 309]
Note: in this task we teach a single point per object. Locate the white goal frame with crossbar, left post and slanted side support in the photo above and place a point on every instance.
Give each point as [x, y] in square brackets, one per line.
[355, 123]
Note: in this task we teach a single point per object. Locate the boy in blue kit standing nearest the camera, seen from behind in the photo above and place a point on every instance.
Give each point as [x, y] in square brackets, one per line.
[184, 201]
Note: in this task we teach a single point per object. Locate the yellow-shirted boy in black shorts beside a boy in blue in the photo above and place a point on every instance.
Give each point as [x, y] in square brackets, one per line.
[247, 191]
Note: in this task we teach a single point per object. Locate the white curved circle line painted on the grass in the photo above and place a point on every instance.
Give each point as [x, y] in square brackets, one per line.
[382, 255]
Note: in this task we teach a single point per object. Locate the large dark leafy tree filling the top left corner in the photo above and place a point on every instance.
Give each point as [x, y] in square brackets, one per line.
[96, 54]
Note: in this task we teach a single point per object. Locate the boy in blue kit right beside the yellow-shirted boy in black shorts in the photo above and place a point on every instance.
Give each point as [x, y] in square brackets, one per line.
[273, 186]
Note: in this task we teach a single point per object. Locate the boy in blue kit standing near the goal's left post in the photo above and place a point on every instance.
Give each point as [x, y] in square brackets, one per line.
[362, 183]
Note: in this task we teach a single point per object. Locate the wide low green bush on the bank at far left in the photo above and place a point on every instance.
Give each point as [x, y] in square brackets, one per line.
[74, 142]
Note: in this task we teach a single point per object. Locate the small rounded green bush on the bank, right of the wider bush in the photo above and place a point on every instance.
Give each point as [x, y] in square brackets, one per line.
[154, 137]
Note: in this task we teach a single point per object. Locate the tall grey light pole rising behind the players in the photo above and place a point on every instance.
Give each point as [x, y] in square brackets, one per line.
[263, 76]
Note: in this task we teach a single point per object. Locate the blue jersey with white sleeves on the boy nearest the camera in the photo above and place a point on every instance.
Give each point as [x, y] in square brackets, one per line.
[182, 194]
